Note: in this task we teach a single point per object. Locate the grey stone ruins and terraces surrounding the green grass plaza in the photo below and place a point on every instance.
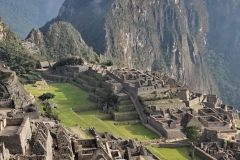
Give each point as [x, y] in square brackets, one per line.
[126, 96]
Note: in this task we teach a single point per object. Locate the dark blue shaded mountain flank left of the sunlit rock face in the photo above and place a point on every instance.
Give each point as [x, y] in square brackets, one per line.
[88, 17]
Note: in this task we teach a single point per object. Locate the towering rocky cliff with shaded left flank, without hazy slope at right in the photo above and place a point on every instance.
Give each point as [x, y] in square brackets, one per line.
[154, 35]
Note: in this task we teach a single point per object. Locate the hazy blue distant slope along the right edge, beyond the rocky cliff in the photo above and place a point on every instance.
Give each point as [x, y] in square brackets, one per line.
[224, 43]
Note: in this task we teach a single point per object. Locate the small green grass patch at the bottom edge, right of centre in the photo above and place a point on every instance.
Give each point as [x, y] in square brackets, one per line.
[181, 153]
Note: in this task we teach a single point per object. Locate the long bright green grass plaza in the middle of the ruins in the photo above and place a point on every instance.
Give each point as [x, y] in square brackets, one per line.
[69, 96]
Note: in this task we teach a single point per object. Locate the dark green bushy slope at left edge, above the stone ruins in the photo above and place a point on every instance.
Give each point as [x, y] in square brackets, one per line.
[13, 54]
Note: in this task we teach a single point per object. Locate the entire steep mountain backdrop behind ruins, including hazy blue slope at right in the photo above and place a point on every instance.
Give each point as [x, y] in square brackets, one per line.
[195, 41]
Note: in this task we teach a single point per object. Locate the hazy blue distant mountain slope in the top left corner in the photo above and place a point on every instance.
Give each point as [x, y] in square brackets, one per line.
[23, 15]
